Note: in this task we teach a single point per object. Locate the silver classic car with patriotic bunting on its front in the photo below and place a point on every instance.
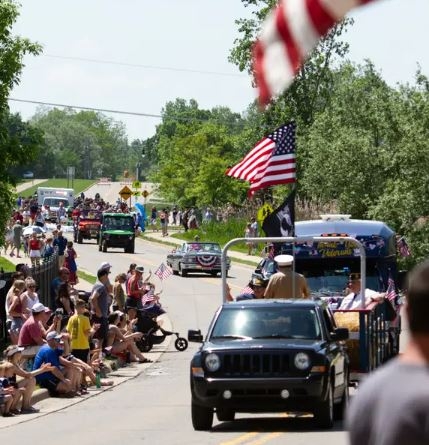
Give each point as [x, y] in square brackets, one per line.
[196, 257]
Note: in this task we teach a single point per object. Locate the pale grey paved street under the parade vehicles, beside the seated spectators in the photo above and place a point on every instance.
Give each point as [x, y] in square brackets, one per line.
[155, 406]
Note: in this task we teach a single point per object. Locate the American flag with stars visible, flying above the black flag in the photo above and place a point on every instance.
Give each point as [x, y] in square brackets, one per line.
[270, 162]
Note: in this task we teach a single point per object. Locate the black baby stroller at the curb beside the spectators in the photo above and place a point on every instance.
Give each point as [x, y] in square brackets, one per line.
[153, 333]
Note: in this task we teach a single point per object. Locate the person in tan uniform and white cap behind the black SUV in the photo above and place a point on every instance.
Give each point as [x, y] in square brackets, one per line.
[286, 283]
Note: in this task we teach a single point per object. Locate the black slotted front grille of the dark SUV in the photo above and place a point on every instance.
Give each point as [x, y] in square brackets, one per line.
[255, 365]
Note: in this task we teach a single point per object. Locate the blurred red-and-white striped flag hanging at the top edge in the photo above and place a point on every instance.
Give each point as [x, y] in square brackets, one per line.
[288, 35]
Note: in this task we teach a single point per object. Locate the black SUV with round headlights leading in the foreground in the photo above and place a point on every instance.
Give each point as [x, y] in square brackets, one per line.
[270, 356]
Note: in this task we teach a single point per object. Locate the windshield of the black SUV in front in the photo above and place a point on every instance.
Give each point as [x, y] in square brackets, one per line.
[261, 322]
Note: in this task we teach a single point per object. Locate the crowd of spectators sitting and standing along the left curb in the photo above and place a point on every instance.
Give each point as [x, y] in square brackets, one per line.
[61, 347]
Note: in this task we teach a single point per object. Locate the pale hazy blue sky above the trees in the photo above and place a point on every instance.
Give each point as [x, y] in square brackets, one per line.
[165, 49]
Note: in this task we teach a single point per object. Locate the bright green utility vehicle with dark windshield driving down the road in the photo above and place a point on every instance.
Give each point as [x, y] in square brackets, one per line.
[117, 230]
